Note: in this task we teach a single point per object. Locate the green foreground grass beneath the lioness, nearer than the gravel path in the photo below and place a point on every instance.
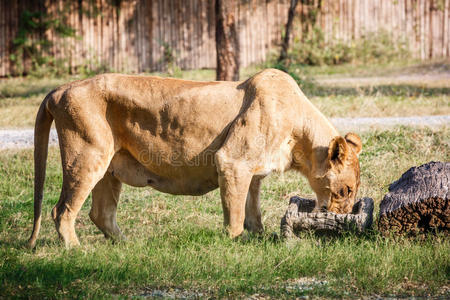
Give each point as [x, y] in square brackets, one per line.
[178, 242]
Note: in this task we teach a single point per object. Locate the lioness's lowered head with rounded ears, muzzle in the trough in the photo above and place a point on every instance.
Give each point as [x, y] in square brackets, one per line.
[336, 186]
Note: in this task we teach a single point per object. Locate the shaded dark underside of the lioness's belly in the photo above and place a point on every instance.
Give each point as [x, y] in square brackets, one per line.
[186, 180]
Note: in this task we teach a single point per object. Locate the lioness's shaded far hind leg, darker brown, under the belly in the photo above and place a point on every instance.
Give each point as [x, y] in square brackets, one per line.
[105, 197]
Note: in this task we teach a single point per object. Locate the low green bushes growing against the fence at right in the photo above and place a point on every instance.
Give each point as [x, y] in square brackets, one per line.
[373, 48]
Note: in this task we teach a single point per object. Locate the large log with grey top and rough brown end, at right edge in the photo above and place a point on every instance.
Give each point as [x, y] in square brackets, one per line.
[418, 201]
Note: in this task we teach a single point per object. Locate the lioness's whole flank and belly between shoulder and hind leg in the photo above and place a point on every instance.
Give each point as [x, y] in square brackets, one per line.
[171, 130]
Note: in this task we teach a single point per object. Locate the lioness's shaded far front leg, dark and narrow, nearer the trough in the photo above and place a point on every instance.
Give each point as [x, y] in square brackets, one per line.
[253, 221]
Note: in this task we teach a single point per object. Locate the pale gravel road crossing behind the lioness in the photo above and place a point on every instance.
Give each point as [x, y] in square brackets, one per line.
[23, 138]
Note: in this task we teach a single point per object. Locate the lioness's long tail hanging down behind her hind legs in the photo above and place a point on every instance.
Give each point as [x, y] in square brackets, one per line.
[41, 135]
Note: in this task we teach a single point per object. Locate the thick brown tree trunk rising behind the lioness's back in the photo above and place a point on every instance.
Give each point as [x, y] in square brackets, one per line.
[227, 42]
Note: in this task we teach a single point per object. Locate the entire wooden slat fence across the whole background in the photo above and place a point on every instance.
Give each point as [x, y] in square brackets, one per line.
[140, 35]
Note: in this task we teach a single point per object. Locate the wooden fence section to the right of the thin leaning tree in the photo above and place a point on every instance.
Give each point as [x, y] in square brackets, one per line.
[423, 24]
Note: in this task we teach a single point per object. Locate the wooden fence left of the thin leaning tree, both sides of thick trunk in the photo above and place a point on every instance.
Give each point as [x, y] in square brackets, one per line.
[137, 36]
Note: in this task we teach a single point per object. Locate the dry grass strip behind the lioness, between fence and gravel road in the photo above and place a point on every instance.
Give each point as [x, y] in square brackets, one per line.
[20, 97]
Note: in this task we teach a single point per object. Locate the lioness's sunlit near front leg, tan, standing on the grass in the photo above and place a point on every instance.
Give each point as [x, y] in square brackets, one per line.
[234, 181]
